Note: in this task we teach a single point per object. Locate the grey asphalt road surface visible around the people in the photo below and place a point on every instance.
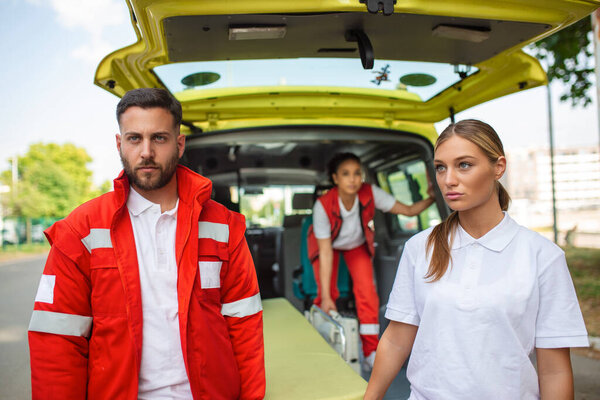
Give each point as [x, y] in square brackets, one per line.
[18, 285]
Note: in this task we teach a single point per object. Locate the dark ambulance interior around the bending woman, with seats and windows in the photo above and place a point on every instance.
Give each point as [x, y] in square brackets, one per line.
[273, 176]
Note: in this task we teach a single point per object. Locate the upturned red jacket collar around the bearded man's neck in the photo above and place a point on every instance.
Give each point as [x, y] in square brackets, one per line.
[190, 187]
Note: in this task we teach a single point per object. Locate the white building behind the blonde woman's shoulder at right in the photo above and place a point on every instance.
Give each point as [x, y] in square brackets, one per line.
[577, 177]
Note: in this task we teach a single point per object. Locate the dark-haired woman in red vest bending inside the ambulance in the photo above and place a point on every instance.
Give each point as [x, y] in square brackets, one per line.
[342, 224]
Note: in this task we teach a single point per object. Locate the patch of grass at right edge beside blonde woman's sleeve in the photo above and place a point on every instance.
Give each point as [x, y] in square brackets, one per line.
[584, 265]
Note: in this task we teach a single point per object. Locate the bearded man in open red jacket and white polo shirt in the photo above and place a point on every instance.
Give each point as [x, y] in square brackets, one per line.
[149, 291]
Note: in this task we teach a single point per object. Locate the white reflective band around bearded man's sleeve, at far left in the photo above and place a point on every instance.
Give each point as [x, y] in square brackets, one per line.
[60, 324]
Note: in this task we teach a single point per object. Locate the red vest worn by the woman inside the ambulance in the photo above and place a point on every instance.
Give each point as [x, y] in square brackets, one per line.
[332, 207]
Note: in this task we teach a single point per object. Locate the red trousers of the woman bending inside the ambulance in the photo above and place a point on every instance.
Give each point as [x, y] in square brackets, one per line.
[363, 286]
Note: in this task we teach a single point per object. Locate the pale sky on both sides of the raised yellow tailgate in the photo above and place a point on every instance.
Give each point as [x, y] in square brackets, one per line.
[51, 49]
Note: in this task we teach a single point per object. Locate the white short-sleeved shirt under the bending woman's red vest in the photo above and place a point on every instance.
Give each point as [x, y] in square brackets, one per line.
[351, 235]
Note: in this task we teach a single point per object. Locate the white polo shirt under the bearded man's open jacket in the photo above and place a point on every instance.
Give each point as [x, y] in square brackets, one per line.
[162, 370]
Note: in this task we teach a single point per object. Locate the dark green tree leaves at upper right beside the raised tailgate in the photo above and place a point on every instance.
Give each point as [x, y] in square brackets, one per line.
[569, 60]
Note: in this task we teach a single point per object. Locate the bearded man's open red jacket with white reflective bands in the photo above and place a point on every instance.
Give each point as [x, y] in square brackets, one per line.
[85, 334]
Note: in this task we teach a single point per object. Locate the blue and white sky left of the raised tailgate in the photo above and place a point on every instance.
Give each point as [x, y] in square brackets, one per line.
[50, 52]
